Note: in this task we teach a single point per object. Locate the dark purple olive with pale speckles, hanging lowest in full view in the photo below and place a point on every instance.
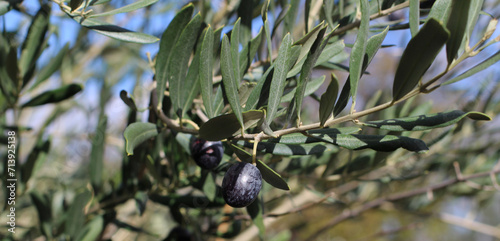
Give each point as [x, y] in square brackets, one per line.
[241, 184]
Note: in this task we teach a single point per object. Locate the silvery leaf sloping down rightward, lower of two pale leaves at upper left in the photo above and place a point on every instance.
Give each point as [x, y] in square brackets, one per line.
[114, 31]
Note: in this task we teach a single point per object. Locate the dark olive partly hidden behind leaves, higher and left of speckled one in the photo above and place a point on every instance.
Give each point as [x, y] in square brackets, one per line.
[207, 154]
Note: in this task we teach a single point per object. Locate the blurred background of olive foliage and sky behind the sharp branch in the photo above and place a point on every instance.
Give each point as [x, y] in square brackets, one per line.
[76, 181]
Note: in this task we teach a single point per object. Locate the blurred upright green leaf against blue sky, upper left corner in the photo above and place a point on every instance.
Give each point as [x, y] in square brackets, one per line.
[33, 44]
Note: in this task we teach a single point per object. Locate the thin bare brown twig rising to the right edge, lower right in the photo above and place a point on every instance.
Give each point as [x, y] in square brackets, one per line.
[395, 197]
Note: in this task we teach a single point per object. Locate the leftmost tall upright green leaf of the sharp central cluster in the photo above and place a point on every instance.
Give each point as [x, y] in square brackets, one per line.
[178, 65]
